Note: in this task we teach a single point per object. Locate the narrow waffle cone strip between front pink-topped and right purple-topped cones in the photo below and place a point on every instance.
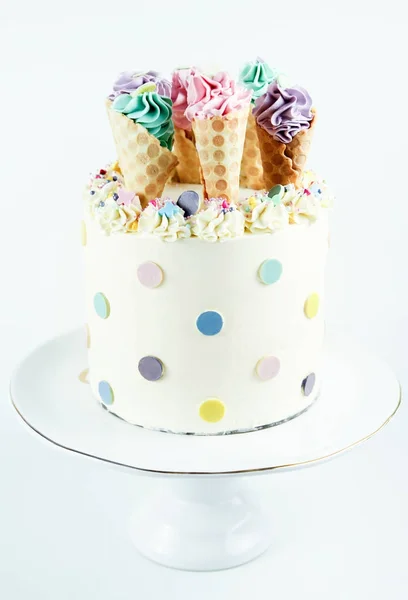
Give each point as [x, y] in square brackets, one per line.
[251, 165]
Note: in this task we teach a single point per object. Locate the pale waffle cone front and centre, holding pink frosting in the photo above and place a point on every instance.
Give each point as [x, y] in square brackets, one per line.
[220, 144]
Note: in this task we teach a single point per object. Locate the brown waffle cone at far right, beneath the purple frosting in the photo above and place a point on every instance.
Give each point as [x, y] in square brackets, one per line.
[284, 163]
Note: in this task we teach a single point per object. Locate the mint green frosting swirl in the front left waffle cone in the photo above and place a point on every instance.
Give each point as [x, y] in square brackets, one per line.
[150, 110]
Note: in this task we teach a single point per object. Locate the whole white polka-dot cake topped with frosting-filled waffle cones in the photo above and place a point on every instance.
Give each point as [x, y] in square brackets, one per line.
[205, 245]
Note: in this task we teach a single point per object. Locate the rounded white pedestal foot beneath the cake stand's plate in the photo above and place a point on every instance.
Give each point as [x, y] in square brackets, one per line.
[202, 525]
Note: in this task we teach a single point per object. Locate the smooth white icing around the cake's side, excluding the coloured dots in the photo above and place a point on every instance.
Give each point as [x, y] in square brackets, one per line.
[259, 320]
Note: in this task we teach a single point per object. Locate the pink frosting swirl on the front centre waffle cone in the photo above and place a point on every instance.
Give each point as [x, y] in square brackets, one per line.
[212, 97]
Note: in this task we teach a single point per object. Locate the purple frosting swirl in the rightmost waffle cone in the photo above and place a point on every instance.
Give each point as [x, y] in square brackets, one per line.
[283, 112]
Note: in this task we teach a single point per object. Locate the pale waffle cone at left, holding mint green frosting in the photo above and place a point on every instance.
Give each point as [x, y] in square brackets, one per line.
[145, 164]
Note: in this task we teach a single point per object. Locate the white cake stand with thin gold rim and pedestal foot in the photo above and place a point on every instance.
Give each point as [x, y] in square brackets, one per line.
[205, 517]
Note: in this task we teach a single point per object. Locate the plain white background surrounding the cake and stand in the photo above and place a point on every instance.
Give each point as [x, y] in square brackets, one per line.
[341, 529]
